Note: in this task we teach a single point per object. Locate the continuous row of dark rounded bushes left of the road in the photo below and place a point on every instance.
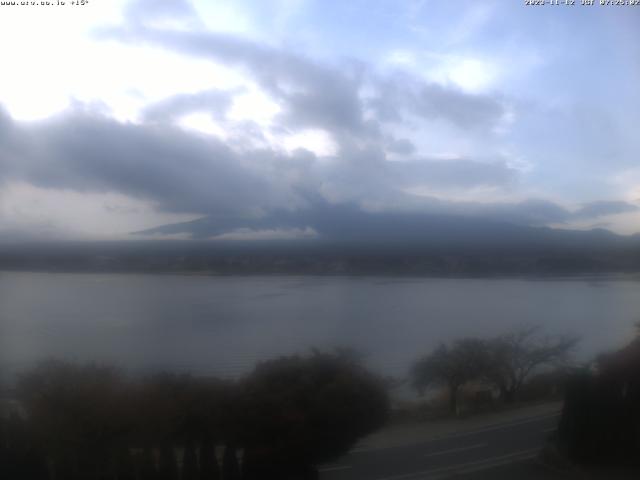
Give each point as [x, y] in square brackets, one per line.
[286, 417]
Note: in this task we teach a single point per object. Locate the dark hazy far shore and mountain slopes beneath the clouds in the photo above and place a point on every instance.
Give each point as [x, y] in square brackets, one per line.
[438, 245]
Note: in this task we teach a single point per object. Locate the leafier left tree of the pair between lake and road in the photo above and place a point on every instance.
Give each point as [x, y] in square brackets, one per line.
[451, 366]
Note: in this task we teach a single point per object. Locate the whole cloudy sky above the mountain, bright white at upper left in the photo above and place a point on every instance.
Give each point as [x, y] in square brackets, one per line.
[266, 118]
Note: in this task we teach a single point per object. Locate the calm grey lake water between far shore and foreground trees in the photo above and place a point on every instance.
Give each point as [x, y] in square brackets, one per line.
[223, 325]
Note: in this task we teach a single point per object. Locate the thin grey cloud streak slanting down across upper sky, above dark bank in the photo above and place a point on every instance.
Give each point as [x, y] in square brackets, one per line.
[322, 95]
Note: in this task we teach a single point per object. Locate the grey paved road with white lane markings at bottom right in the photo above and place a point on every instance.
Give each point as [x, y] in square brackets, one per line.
[456, 454]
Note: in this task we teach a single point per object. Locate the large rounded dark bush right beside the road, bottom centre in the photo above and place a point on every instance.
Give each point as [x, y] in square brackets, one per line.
[299, 412]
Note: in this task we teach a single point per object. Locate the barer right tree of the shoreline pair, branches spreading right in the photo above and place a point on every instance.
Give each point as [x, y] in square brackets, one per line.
[514, 356]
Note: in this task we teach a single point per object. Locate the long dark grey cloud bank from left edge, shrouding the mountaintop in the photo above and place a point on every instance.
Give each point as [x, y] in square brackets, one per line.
[257, 189]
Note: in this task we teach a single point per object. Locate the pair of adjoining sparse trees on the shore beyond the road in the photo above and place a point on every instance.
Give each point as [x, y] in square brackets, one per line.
[504, 363]
